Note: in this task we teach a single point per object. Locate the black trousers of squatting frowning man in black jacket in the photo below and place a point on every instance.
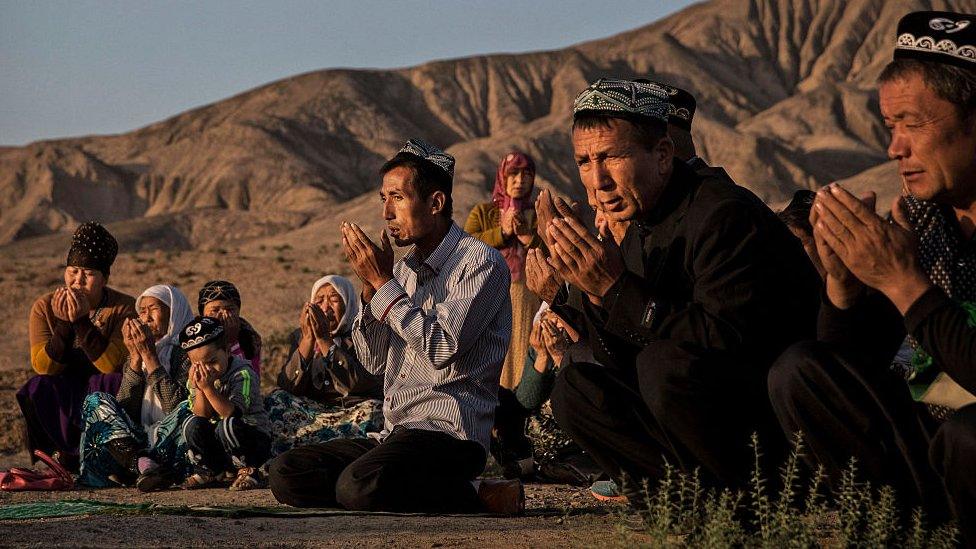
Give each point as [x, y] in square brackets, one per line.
[689, 410]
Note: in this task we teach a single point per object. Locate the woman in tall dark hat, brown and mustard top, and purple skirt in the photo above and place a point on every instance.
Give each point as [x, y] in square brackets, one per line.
[75, 346]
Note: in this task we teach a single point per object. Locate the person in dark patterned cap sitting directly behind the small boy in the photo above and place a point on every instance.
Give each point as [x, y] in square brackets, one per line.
[220, 299]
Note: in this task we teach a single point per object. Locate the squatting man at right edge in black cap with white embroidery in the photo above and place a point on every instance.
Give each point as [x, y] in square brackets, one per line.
[917, 277]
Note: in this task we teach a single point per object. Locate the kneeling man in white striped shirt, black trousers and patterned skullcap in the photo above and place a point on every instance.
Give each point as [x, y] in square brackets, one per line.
[437, 325]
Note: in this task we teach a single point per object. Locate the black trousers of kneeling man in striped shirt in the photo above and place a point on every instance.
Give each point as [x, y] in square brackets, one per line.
[412, 470]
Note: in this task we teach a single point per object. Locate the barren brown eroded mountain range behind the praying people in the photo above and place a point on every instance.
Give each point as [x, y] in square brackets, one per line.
[786, 100]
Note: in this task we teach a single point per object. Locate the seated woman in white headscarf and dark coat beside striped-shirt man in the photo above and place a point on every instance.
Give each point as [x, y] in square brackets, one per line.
[325, 391]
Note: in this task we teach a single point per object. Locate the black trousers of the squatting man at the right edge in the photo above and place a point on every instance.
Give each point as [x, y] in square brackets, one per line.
[848, 408]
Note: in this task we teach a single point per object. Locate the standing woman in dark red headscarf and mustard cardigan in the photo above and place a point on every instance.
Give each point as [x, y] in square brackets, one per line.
[507, 223]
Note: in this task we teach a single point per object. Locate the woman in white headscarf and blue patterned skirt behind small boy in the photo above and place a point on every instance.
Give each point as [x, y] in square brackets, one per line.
[137, 436]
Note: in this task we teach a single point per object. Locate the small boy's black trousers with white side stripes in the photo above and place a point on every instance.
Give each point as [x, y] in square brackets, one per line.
[229, 443]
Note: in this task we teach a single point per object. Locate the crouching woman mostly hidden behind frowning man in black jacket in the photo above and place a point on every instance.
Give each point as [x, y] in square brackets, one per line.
[553, 344]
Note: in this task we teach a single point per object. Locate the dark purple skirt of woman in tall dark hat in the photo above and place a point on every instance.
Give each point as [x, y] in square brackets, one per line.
[51, 405]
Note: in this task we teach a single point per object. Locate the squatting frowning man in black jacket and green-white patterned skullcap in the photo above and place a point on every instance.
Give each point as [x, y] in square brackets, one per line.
[684, 317]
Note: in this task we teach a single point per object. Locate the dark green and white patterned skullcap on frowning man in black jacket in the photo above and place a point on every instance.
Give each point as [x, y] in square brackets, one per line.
[623, 98]
